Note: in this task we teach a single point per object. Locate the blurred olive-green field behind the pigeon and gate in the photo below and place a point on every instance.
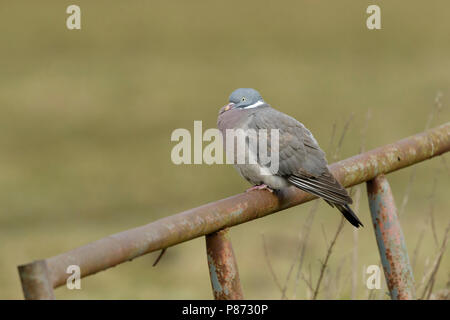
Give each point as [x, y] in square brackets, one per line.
[86, 118]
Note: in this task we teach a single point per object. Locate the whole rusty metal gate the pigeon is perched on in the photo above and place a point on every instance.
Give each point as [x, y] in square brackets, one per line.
[39, 278]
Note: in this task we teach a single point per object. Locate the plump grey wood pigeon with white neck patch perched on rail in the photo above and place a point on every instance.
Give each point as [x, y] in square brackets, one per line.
[301, 162]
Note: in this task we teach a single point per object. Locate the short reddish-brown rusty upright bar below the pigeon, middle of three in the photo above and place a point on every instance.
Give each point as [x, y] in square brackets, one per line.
[223, 270]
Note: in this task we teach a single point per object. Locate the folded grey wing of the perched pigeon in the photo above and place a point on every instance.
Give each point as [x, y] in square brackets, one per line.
[301, 161]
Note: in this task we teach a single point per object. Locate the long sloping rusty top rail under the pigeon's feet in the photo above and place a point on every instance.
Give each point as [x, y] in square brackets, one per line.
[121, 247]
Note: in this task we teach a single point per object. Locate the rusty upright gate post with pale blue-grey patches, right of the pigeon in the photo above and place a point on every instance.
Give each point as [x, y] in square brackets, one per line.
[390, 240]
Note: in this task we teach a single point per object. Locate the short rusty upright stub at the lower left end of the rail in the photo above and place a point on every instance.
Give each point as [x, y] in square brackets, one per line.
[35, 280]
